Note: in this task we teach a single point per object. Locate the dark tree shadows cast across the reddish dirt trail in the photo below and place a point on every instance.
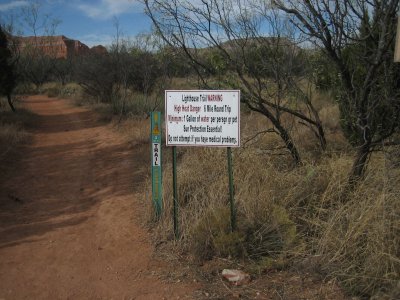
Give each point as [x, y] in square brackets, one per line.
[44, 188]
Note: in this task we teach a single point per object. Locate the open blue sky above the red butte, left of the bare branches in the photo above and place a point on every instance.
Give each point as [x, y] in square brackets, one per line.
[91, 21]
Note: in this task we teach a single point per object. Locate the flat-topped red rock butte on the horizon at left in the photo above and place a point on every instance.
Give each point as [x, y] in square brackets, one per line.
[57, 46]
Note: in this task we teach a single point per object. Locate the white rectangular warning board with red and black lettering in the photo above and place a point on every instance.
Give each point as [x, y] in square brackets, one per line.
[202, 118]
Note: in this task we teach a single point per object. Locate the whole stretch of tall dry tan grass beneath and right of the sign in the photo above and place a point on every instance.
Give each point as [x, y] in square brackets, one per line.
[291, 215]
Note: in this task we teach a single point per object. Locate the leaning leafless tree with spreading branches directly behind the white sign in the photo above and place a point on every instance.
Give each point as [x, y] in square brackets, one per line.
[247, 45]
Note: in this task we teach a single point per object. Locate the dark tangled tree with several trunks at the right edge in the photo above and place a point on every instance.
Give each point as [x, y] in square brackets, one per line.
[358, 36]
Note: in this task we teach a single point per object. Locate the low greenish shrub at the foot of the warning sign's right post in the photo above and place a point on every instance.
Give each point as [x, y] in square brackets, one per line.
[268, 236]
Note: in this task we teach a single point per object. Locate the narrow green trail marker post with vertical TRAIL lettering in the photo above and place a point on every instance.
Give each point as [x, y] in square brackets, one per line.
[156, 175]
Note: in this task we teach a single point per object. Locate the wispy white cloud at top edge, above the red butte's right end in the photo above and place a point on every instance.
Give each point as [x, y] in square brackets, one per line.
[106, 9]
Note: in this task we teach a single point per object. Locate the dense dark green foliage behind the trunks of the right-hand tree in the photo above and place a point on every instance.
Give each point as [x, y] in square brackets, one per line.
[369, 107]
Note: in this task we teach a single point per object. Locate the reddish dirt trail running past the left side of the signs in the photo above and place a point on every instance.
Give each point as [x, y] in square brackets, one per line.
[69, 224]
